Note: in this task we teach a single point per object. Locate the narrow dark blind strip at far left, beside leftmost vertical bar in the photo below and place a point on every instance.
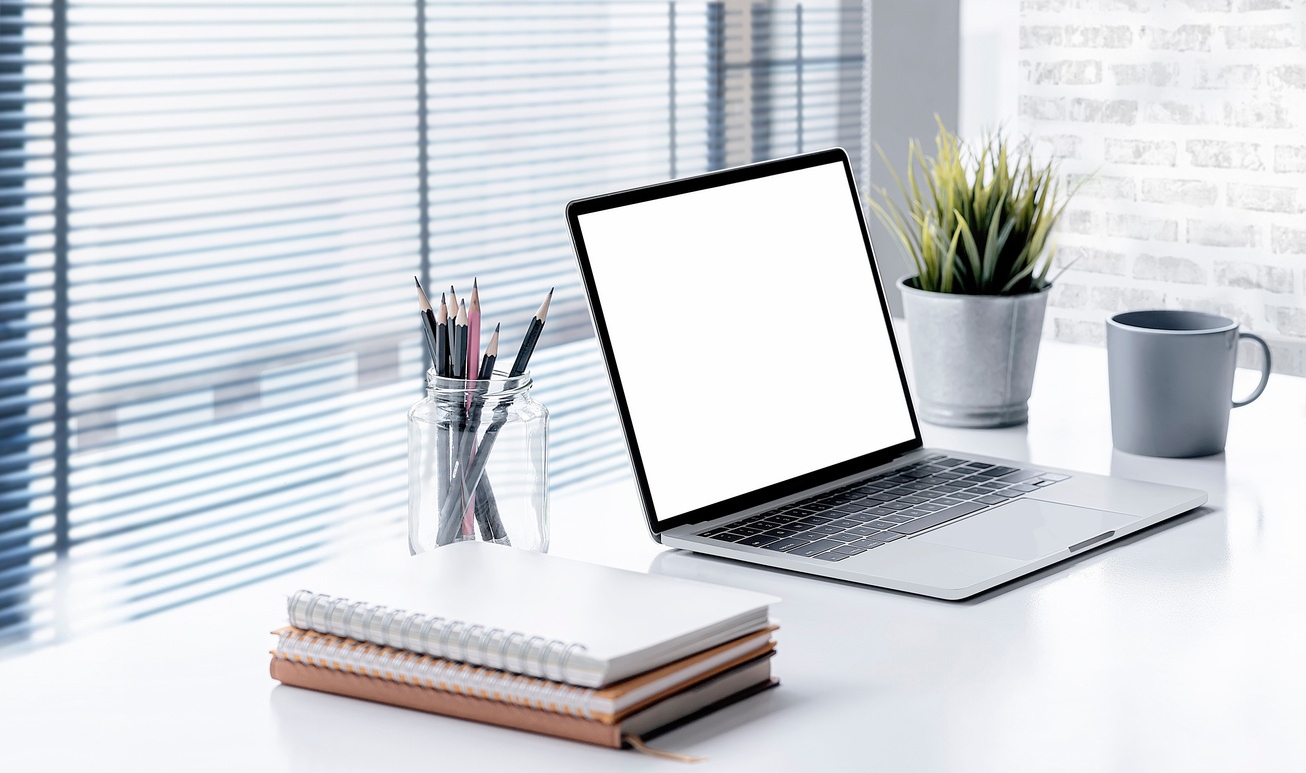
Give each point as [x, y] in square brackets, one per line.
[27, 306]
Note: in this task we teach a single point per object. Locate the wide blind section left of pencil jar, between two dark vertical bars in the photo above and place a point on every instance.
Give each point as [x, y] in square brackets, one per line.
[240, 186]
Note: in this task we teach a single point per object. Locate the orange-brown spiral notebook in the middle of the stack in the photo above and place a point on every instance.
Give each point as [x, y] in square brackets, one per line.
[603, 706]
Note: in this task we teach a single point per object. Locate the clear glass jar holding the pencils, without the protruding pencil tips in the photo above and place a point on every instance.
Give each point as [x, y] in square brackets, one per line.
[479, 464]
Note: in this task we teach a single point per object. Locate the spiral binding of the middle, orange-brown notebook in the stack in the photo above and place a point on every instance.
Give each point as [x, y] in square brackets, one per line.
[408, 668]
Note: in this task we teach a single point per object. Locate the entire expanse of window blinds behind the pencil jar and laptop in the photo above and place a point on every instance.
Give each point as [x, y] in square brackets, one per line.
[210, 217]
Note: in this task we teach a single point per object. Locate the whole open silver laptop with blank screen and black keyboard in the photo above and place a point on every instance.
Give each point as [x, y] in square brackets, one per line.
[762, 395]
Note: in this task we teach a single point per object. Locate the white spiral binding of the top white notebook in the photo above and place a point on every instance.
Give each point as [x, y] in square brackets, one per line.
[442, 638]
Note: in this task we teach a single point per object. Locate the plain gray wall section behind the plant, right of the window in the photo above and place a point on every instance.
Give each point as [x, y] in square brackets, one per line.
[915, 75]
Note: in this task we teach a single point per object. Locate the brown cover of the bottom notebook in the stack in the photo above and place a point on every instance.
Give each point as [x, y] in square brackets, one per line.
[520, 718]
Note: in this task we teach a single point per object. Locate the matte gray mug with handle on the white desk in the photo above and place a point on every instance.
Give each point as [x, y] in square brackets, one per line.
[1172, 381]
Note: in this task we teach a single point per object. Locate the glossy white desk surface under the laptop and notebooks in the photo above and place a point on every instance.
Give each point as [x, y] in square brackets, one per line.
[1179, 650]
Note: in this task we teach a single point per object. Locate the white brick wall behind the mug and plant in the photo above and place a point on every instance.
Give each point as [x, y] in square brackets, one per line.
[1192, 118]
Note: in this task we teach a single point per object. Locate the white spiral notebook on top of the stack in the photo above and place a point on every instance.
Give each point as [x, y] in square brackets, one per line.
[531, 613]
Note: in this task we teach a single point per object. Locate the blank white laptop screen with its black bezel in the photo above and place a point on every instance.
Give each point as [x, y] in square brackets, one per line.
[745, 332]
